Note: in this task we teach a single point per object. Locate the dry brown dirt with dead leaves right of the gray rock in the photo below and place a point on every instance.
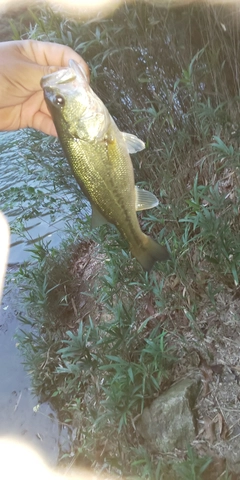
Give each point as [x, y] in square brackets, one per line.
[219, 404]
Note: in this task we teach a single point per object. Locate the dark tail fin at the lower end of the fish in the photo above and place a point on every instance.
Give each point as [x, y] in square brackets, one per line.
[149, 253]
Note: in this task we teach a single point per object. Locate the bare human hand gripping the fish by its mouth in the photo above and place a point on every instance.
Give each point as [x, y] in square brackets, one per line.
[22, 65]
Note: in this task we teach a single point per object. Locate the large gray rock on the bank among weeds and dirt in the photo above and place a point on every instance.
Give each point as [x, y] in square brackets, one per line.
[170, 421]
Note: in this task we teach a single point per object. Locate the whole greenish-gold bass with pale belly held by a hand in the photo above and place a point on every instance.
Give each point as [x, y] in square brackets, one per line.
[99, 156]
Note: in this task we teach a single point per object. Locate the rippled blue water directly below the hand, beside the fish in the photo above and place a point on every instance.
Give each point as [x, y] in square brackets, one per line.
[28, 194]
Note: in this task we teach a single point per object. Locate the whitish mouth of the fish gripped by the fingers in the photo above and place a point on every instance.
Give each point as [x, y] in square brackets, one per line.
[65, 75]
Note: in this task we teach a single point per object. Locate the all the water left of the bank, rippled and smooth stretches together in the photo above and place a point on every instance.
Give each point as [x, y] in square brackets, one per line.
[36, 208]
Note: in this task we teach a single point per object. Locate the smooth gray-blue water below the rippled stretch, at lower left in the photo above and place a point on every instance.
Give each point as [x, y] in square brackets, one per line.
[19, 413]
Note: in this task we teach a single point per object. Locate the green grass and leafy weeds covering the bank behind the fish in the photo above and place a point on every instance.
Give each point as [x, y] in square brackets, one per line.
[102, 373]
